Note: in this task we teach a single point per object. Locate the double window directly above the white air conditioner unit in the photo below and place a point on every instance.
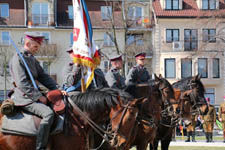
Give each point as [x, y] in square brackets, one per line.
[172, 35]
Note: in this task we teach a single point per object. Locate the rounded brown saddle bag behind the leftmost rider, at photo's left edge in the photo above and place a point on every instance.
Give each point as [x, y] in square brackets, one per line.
[7, 107]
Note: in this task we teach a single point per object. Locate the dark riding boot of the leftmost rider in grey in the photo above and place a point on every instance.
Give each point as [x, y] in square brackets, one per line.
[42, 137]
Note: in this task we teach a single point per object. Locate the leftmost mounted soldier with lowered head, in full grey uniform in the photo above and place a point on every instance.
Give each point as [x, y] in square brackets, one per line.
[25, 95]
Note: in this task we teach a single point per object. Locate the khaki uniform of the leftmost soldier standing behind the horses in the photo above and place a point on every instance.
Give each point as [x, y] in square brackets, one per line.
[191, 128]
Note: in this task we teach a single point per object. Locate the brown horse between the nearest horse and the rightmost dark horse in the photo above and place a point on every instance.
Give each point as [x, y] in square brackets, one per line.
[160, 102]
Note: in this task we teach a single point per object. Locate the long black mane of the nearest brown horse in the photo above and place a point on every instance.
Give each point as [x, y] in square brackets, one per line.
[99, 100]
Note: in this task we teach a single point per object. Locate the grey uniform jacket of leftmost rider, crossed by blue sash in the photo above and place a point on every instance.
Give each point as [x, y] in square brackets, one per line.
[25, 93]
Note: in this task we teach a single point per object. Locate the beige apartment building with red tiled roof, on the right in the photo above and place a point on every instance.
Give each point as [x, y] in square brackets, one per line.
[189, 39]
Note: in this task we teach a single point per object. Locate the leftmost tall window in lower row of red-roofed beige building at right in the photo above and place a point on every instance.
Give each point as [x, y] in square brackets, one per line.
[170, 68]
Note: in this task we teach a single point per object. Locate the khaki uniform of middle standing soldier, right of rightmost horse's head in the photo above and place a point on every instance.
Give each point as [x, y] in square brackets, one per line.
[208, 124]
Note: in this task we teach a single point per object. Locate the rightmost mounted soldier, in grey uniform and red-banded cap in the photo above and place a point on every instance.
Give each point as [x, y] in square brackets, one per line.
[138, 74]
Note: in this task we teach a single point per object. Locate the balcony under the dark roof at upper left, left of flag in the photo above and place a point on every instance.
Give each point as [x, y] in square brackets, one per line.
[43, 20]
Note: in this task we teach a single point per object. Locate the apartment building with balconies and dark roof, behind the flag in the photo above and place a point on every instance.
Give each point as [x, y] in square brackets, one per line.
[54, 19]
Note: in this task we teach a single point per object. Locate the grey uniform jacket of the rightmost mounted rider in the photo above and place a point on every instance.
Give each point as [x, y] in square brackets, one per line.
[137, 75]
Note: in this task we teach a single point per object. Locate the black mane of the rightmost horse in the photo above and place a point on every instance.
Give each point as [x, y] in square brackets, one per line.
[183, 84]
